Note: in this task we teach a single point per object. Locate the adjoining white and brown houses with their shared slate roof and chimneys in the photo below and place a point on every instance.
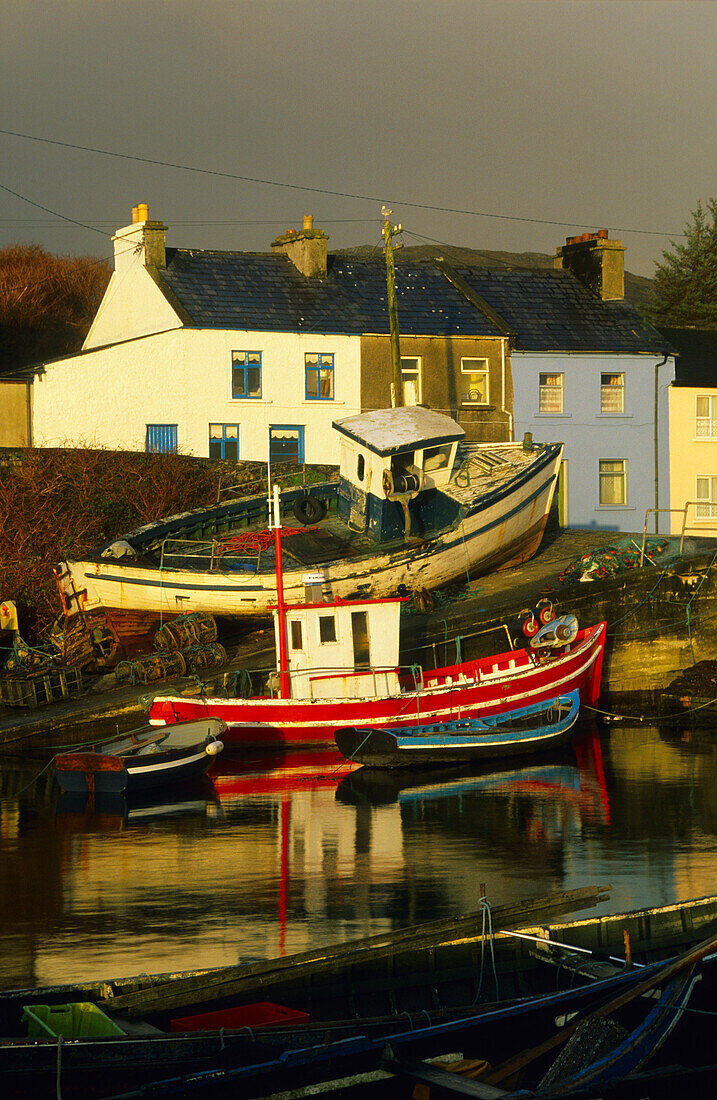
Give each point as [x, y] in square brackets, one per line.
[220, 354]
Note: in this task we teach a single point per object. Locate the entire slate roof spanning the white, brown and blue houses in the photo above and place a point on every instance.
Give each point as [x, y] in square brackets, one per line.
[264, 292]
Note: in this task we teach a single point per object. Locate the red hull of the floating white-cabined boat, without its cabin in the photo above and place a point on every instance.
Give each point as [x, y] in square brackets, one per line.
[489, 686]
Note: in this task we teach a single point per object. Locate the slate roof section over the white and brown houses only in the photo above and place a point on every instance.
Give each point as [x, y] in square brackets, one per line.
[263, 292]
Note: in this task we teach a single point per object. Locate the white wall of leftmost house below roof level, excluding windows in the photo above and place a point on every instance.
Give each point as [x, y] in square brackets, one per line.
[107, 398]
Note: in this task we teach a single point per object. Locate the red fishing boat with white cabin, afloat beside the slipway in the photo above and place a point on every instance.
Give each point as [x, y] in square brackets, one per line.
[338, 667]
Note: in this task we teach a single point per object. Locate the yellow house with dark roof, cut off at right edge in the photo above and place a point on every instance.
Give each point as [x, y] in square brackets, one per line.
[693, 431]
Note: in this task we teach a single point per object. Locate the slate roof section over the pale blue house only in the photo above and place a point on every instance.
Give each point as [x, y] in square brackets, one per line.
[553, 311]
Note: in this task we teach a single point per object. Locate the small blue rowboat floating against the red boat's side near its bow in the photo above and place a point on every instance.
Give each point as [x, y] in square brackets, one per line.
[528, 730]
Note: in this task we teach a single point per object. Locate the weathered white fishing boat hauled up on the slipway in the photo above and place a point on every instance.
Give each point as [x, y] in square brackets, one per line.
[415, 507]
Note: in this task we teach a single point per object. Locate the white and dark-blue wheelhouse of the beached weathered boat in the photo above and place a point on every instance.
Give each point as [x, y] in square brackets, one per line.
[389, 458]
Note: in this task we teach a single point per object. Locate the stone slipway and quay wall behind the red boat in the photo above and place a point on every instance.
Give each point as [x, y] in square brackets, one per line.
[663, 619]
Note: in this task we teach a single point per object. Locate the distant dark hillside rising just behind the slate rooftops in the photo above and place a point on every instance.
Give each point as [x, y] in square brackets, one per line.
[637, 288]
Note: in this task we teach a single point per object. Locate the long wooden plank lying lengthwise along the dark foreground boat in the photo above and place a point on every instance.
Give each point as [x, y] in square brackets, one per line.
[233, 982]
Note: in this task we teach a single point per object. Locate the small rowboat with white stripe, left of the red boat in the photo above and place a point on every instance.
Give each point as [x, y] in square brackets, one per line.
[147, 760]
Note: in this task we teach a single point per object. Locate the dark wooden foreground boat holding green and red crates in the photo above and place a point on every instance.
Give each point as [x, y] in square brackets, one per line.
[511, 987]
